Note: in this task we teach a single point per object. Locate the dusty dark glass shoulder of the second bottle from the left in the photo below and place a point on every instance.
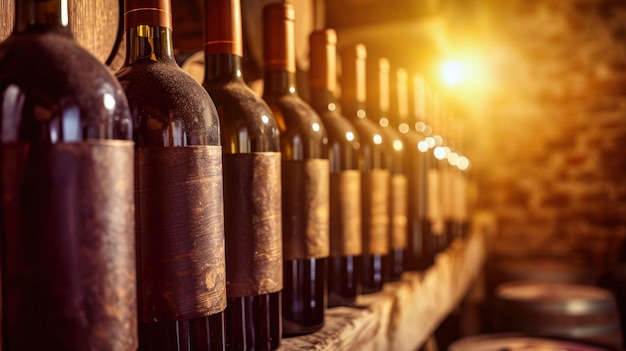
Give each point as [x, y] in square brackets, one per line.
[162, 97]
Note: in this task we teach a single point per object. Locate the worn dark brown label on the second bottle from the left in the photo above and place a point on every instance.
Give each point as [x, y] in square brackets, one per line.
[180, 232]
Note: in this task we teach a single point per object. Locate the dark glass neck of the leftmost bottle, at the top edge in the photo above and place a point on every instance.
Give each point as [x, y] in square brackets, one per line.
[38, 15]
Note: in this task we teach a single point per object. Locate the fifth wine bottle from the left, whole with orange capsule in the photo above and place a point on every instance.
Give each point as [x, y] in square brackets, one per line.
[345, 178]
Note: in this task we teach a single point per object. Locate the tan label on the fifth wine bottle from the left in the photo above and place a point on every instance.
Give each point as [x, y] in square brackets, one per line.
[345, 206]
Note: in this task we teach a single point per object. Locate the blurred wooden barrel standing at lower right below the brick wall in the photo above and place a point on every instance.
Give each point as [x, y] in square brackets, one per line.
[571, 311]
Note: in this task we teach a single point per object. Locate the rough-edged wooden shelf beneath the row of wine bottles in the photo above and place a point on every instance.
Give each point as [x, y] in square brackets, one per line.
[405, 313]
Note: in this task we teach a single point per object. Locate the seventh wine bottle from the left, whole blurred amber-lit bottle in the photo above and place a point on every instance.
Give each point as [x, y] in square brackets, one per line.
[381, 112]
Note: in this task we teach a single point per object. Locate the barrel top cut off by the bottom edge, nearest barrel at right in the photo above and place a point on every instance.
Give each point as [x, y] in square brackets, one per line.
[512, 342]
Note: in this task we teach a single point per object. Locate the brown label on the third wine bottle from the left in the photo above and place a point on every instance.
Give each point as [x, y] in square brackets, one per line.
[253, 227]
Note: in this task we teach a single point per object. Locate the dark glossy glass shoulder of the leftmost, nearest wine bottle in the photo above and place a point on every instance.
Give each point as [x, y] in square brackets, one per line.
[48, 81]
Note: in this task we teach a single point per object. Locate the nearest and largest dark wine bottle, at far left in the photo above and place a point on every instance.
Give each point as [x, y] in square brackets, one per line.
[67, 217]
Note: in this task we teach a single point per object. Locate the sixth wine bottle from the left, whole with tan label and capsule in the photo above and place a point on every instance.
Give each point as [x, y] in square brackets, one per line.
[375, 172]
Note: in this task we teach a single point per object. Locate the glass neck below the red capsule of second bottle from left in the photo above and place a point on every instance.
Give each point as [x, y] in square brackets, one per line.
[149, 42]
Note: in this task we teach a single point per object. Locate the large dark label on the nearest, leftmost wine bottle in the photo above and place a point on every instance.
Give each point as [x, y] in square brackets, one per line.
[68, 218]
